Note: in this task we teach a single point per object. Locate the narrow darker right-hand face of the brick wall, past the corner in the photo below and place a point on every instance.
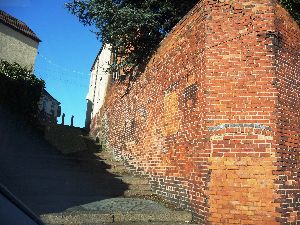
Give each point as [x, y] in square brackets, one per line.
[287, 50]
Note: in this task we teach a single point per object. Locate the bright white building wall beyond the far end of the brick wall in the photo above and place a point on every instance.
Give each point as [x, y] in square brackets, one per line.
[99, 81]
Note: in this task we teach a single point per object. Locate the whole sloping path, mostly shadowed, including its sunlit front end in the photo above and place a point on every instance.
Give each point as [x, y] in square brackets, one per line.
[71, 189]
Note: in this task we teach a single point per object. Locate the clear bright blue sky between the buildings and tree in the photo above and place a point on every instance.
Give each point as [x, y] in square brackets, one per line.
[66, 53]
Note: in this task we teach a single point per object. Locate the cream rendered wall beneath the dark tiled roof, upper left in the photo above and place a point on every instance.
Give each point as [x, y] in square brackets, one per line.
[17, 47]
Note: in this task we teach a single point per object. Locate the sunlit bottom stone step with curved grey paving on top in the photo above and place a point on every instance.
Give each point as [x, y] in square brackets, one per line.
[118, 210]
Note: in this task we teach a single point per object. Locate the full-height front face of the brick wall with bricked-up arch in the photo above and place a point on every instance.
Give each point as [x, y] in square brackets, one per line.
[241, 101]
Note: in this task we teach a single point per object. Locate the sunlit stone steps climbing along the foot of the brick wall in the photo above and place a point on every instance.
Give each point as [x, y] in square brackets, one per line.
[138, 205]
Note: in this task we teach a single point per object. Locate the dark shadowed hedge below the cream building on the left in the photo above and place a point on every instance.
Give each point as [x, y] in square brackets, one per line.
[20, 91]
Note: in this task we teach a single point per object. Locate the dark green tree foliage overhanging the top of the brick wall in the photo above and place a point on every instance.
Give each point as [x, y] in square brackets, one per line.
[133, 27]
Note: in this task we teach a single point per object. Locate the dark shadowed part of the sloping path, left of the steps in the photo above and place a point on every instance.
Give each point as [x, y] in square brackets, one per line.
[44, 179]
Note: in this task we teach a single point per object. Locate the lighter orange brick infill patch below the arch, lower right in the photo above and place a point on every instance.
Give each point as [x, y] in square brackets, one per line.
[241, 190]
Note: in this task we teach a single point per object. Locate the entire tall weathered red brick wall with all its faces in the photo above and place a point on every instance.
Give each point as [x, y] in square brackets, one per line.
[214, 119]
